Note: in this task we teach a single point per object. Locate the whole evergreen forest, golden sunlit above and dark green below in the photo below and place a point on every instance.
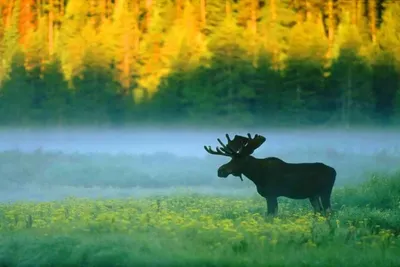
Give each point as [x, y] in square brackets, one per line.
[203, 62]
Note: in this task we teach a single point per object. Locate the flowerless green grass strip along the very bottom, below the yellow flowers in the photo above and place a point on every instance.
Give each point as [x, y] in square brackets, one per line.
[145, 250]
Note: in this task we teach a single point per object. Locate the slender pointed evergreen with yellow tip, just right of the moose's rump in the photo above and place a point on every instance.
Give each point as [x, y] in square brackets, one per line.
[351, 75]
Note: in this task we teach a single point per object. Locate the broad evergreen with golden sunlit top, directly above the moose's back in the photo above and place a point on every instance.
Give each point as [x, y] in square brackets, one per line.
[304, 72]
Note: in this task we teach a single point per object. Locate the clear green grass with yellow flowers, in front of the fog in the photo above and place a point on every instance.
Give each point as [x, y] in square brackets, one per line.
[198, 230]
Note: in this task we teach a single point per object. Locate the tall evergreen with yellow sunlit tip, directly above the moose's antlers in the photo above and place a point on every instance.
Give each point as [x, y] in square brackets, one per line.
[227, 88]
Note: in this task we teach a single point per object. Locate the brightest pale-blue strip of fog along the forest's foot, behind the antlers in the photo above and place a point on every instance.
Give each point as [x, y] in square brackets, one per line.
[191, 142]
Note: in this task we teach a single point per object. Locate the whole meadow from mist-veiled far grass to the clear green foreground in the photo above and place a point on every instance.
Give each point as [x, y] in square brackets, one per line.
[161, 209]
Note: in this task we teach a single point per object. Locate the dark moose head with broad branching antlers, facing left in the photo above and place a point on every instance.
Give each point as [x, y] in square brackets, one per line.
[239, 149]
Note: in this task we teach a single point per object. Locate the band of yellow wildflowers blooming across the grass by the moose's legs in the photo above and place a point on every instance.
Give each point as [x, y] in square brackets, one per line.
[216, 221]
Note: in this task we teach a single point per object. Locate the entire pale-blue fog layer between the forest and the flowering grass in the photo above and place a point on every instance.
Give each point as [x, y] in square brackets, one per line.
[53, 164]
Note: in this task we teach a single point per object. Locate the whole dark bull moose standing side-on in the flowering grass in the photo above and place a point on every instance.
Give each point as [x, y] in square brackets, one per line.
[274, 177]
